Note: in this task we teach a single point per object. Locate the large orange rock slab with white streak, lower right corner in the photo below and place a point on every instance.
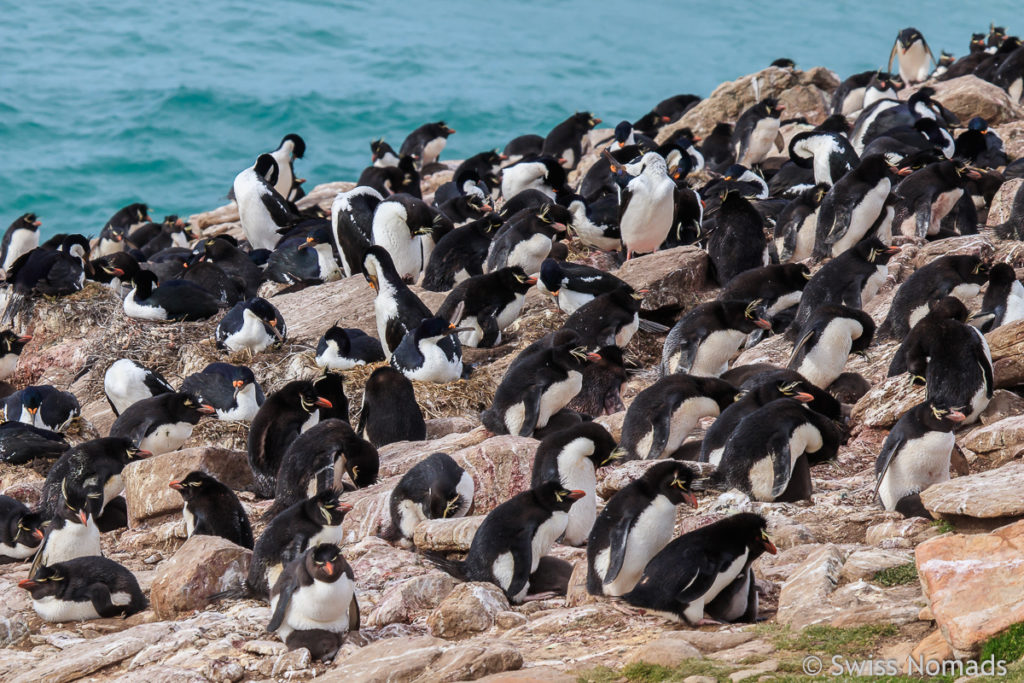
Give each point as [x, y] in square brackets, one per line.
[974, 584]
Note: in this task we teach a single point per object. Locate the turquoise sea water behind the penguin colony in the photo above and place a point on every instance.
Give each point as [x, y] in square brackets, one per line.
[104, 104]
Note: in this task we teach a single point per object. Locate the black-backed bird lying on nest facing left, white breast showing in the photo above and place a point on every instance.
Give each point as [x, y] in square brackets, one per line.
[173, 301]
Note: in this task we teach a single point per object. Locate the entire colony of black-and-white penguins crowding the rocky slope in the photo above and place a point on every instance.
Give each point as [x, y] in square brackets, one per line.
[799, 244]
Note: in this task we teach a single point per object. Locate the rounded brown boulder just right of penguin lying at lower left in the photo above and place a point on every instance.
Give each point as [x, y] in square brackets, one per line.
[204, 566]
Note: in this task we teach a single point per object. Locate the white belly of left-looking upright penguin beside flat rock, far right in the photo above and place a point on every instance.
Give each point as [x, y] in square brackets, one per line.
[917, 466]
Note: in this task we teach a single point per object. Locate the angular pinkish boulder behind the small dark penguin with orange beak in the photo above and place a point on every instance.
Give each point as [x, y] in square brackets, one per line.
[147, 490]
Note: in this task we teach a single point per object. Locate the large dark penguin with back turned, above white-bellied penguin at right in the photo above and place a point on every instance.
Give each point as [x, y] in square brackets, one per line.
[951, 357]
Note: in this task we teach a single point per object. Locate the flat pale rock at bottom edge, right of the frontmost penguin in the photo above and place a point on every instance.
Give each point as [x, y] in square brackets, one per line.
[423, 659]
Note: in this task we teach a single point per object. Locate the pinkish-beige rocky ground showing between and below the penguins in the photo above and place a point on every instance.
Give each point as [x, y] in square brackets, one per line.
[850, 579]
